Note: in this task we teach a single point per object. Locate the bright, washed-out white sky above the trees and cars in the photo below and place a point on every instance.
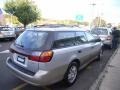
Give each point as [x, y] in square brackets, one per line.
[69, 9]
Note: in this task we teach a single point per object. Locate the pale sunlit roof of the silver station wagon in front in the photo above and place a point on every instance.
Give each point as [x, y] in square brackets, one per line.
[57, 29]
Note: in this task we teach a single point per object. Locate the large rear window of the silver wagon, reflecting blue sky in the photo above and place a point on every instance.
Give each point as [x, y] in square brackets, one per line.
[32, 40]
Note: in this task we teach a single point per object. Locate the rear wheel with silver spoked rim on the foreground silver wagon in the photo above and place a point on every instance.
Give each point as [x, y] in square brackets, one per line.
[71, 74]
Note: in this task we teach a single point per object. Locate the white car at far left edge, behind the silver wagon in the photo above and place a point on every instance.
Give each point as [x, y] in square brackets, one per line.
[7, 33]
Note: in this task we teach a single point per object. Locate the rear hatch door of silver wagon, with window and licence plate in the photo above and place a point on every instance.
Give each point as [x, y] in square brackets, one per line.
[29, 43]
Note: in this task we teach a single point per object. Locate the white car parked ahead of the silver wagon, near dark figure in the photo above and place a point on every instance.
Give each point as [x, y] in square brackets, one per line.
[104, 34]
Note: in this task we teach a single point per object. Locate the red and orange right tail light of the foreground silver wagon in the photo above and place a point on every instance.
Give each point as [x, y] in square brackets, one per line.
[45, 56]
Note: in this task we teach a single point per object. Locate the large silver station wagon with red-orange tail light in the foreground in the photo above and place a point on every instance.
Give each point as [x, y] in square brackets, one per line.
[43, 56]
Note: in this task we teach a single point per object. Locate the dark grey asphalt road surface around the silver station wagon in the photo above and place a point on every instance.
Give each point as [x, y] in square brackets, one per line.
[86, 77]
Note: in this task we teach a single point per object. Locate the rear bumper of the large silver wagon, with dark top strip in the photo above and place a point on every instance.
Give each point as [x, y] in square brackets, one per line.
[41, 77]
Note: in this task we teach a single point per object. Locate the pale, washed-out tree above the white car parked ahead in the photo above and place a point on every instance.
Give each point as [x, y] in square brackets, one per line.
[99, 22]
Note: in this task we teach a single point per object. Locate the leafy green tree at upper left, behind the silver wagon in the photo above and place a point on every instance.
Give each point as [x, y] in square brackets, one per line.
[25, 11]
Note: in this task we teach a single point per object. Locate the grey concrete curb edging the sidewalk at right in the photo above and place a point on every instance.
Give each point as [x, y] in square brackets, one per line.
[100, 78]
